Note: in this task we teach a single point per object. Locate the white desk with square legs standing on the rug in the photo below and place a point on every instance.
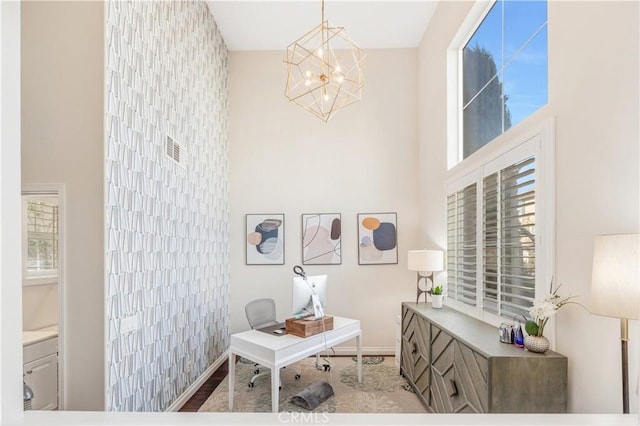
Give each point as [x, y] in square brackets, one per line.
[275, 352]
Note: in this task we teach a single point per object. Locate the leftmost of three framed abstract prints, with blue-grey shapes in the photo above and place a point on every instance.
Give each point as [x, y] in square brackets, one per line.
[264, 239]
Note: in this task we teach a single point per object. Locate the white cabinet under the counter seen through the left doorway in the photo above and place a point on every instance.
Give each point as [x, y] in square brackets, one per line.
[41, 373]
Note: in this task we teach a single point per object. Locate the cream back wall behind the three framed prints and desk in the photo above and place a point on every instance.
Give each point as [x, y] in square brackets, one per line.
[285, 160]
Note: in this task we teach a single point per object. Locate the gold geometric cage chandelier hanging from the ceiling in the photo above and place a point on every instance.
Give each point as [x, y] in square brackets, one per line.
[324, 70]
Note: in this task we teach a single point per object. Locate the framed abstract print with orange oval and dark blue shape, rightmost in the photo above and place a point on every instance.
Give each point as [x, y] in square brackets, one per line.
[377, 238]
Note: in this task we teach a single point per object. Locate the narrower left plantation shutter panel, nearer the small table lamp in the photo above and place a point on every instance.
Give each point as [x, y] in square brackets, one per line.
[462, 245]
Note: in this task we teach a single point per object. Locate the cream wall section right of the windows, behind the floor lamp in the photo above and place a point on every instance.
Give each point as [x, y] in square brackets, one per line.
[594, 93]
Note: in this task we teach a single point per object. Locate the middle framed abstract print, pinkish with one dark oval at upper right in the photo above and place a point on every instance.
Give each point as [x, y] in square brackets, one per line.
[321, 239]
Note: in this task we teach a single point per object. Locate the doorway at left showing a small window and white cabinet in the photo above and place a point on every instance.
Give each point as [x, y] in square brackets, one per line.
[43, 263]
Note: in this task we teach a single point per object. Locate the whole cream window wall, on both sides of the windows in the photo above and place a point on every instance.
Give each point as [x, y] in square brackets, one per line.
[593, 95]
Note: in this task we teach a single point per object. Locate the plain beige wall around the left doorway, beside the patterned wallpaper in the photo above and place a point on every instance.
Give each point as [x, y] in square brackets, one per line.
[62, 142]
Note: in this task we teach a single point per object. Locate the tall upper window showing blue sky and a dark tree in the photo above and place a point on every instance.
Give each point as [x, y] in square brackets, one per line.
[504, 72]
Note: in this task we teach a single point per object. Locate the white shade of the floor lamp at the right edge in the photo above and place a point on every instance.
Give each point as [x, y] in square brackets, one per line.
[615, 282]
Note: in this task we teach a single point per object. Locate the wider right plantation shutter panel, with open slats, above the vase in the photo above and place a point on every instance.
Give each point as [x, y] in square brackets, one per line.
[509, 239]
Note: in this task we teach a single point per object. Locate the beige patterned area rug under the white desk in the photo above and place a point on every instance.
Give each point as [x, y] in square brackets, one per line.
[383, 389]
